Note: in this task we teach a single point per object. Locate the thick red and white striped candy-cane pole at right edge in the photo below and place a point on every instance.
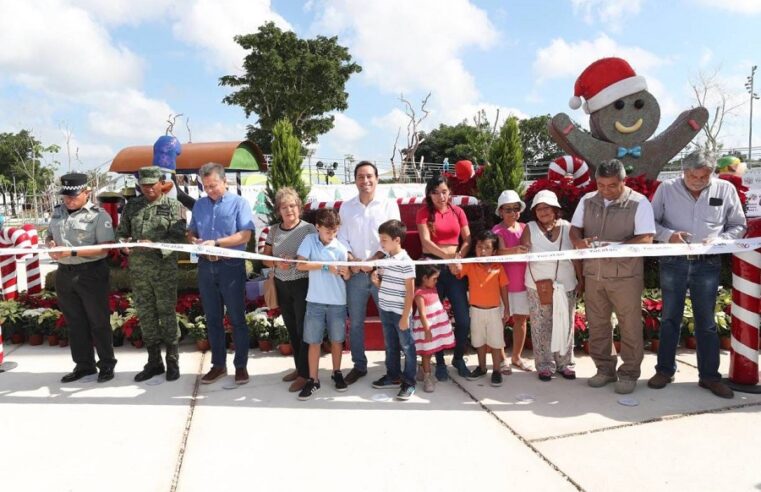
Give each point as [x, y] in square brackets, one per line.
[746, 301]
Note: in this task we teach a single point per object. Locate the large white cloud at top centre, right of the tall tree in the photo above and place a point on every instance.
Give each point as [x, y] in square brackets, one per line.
[405, 46]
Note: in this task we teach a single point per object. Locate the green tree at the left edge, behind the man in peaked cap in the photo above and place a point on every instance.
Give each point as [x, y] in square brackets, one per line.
[25, 175]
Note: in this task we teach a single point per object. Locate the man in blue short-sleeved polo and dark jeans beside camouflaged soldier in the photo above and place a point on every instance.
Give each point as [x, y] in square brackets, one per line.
[222, 219]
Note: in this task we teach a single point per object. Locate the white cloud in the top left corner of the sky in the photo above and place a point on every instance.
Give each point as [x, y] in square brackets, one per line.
[56, 47]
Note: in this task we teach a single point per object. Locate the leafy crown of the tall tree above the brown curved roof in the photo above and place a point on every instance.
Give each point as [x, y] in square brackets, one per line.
[293, 78]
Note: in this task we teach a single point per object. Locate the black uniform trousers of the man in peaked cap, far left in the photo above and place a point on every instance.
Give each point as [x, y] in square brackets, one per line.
[82, 292]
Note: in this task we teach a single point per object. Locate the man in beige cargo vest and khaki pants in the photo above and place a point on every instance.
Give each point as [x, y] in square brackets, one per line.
[613, 214]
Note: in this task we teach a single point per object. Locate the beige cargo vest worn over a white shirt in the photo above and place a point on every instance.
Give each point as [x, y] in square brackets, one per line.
[614, 223]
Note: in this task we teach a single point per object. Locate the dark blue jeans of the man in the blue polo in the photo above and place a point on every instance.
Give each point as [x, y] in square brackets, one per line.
[222, 284]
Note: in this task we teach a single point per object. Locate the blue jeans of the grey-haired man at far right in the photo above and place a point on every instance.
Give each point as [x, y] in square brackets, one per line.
[701, 276]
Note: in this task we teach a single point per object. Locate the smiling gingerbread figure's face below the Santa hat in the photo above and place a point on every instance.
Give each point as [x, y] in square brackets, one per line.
[627, 121]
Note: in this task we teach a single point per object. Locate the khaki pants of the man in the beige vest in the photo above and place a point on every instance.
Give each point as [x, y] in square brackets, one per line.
[602, 297]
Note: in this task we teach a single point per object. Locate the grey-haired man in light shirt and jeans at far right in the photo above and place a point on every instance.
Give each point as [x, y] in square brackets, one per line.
[694, 208]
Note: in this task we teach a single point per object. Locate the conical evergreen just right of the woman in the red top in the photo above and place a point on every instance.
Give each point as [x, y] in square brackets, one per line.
[505, 169]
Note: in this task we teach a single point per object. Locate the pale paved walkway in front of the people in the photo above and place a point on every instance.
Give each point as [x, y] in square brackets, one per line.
[526, 435]
